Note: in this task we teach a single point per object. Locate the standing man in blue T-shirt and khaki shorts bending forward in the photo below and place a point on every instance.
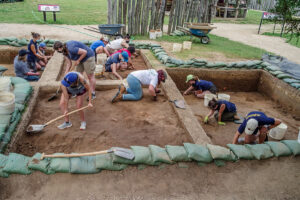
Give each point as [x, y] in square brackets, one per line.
[83, 57]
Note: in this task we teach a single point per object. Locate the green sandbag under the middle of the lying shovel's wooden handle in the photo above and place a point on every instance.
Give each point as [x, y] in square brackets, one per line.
[83, 165]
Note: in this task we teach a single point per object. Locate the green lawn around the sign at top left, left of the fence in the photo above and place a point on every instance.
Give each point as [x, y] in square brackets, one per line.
[73, 12]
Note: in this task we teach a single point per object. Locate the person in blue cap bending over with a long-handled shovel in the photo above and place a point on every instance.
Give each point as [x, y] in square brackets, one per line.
[74, 84]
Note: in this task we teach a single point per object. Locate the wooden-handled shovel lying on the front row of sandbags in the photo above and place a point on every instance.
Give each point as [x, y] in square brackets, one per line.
[121, 152]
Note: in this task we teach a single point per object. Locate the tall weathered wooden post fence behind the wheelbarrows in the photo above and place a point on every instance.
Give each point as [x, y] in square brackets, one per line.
[140, 16]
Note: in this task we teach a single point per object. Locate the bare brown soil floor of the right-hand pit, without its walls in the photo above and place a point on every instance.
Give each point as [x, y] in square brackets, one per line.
[245, 103]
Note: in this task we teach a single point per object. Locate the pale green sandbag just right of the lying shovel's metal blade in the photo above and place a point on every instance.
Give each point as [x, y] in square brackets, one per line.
[142, 155]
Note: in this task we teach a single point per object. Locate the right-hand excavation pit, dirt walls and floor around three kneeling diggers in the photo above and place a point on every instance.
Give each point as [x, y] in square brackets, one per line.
[254, 90]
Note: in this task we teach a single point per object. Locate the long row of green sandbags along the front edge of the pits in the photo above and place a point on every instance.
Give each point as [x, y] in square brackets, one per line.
[152, 155]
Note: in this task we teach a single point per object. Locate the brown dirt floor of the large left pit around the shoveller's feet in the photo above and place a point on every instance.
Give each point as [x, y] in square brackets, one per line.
[122, 124]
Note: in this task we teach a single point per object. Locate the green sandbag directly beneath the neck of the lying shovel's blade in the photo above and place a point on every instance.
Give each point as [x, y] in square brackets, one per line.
[105, 161]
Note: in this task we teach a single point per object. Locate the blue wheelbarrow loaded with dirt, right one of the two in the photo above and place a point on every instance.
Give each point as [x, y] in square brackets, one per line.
[199, 30]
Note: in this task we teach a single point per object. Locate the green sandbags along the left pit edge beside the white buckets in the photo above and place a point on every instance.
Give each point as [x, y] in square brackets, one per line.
[8, 123]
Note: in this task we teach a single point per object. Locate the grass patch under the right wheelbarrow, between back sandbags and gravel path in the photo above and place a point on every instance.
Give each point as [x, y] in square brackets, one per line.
[228, 48]
